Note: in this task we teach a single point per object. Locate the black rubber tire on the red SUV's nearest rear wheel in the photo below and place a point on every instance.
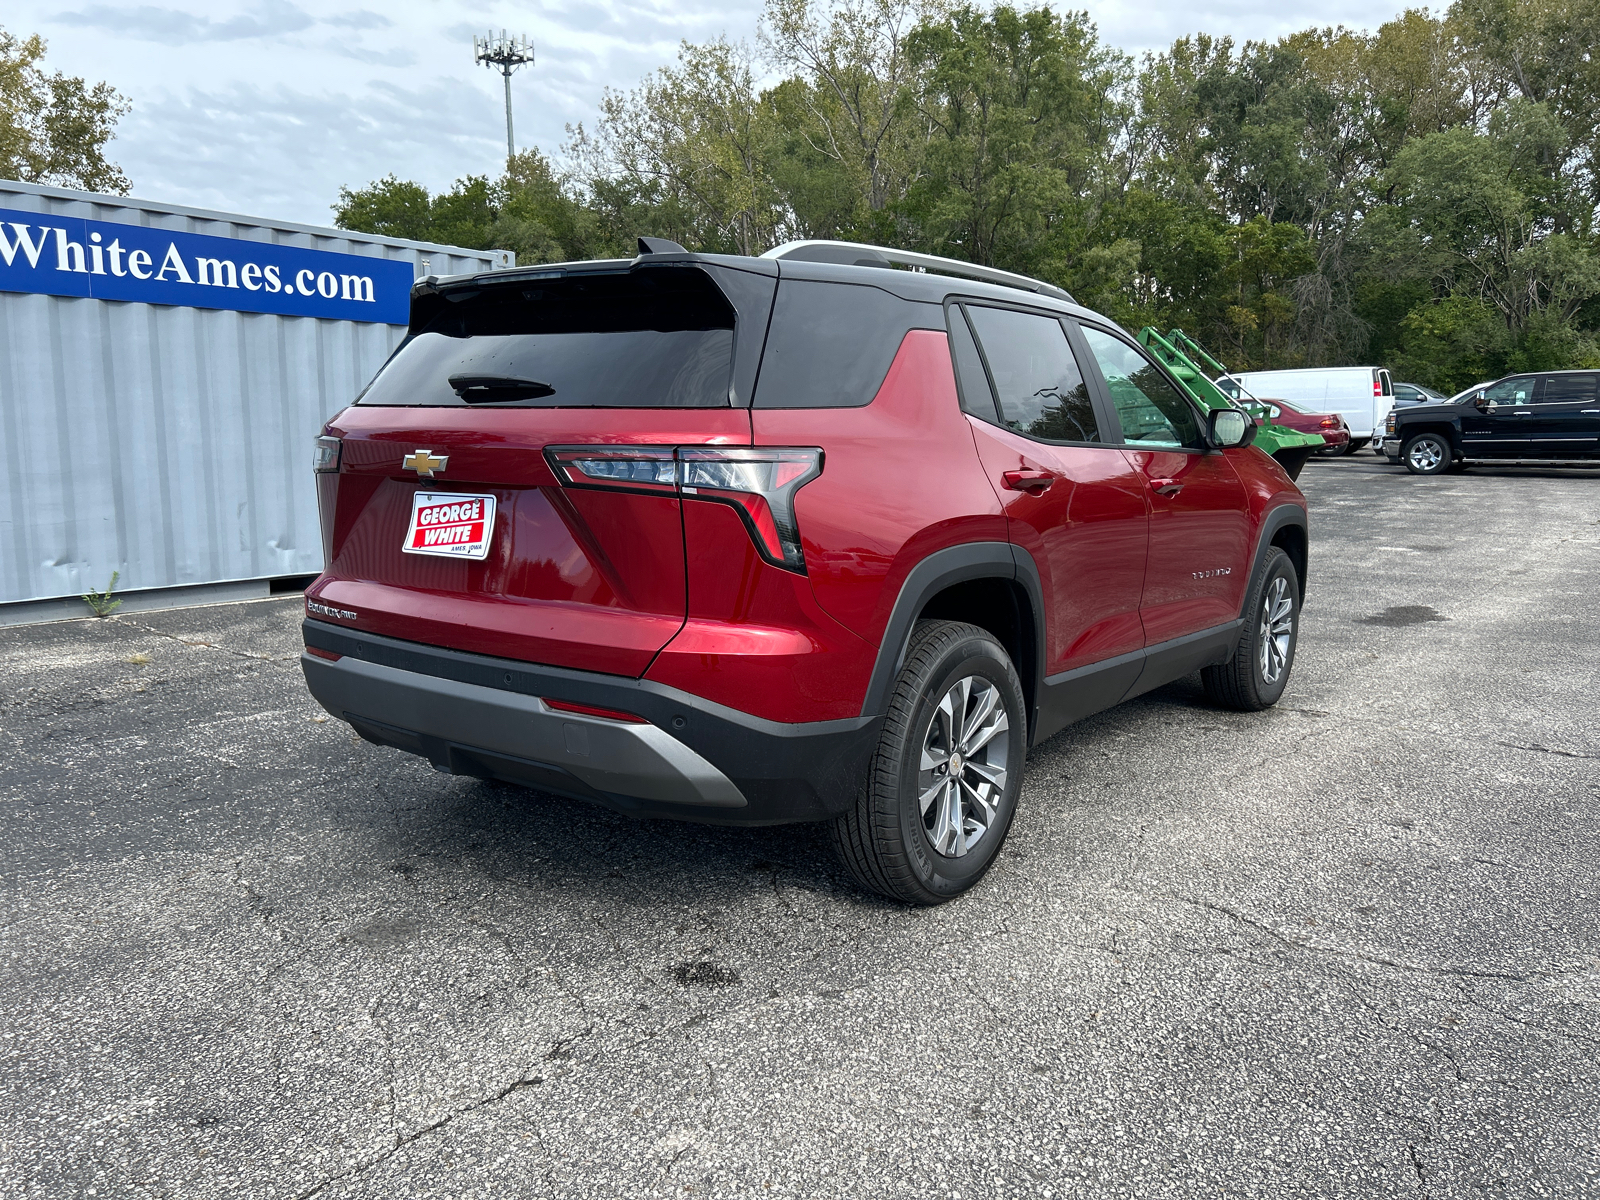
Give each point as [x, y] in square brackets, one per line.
[886, 839]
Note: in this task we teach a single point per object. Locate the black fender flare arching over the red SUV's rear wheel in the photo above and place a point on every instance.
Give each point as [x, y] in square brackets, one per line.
[940, 570]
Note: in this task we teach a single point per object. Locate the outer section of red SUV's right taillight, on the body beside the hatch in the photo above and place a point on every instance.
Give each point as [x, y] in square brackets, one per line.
[761, 484]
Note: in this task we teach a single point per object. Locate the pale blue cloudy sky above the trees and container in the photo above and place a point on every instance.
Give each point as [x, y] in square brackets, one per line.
[270, 106]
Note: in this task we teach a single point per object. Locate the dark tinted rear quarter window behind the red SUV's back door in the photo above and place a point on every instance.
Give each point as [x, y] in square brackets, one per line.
[831, 345]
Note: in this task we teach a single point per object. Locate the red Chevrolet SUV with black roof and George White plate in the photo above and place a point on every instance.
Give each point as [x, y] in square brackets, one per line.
[786, 538]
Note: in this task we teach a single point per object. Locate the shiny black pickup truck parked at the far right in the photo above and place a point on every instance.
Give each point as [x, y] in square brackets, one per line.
[1553, 417]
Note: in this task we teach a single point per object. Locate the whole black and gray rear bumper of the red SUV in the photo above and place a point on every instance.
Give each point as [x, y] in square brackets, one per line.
[486, 718]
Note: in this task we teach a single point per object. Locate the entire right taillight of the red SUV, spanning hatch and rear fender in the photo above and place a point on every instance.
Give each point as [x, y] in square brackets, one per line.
[758, 482]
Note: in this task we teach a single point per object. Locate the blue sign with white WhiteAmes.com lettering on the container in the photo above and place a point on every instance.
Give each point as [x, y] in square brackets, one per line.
[103, 260]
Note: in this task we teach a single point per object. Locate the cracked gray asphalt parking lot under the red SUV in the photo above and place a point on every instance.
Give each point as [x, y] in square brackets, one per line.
[1345, 948]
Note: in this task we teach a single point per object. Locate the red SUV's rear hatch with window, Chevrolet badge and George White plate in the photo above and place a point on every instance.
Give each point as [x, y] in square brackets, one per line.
[506, 486]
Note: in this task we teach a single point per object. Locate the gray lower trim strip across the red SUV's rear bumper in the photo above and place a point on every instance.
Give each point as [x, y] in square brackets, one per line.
[615, 758]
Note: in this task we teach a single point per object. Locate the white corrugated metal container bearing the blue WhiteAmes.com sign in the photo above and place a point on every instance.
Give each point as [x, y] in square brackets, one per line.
[162, 375]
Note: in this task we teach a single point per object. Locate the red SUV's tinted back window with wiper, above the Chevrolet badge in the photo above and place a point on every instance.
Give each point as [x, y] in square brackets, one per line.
[654, 338]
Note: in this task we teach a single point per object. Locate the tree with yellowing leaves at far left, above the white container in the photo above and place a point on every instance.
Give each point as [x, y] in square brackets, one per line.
[54, 127]
